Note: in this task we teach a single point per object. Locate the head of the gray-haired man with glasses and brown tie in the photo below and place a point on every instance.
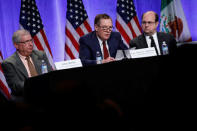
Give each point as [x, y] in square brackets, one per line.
[23, 42]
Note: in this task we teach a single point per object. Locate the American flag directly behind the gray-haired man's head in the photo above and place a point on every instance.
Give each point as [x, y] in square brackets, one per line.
[30, 20]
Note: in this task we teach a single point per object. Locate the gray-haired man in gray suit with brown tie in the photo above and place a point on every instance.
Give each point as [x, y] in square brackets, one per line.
[17, 69]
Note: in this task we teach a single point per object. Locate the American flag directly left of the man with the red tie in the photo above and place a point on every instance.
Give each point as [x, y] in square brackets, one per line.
[77, 25]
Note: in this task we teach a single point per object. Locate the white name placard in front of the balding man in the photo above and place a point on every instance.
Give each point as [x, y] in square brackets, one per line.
[145, 52]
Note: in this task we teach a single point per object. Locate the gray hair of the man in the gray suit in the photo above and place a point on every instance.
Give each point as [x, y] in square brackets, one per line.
[16, 38]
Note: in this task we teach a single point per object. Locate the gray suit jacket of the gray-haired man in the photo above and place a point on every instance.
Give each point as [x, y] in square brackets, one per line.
[16, 73]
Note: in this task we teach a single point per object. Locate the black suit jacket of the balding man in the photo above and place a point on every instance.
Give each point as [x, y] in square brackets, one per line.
[140, 42]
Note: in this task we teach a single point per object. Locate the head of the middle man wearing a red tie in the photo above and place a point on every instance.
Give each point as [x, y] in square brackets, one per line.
[103, 26]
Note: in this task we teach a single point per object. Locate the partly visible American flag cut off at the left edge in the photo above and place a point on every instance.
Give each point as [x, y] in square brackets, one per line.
[4, 89]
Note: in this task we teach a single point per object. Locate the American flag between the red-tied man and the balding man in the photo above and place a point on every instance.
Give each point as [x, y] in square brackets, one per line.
[127, 22]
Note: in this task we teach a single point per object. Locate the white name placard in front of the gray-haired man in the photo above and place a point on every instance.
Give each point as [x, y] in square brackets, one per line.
[68, 64]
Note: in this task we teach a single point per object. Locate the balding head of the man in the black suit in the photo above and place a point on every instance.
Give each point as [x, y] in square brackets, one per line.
[150, 21]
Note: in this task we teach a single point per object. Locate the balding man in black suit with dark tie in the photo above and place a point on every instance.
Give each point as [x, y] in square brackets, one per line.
[150, 21]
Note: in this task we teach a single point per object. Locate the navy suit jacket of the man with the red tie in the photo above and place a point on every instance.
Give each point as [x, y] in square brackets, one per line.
[89, 45]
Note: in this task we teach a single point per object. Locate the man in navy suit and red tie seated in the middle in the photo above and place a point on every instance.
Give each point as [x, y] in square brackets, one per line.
[102, 40]
